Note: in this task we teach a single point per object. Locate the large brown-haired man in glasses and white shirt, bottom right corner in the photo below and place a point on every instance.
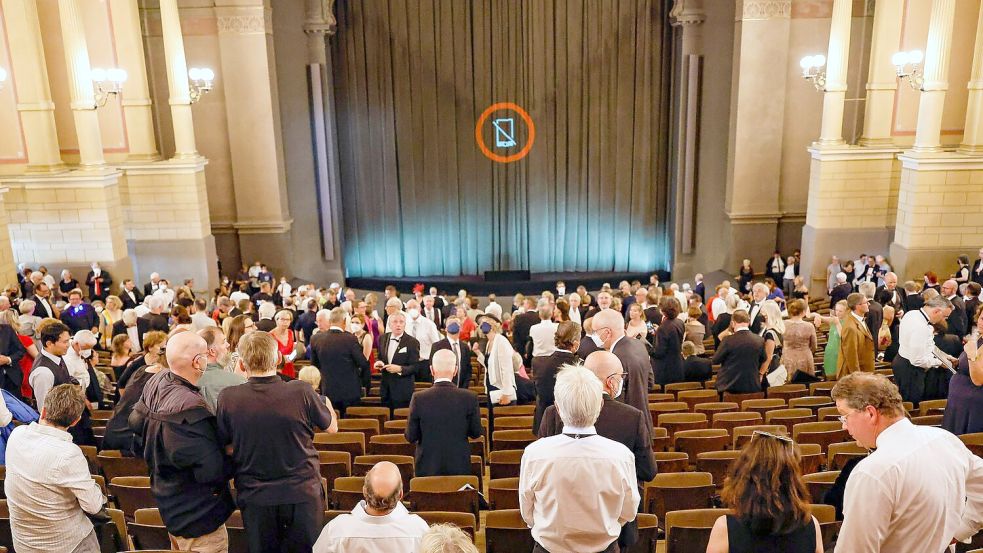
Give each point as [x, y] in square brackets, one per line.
[918, 490]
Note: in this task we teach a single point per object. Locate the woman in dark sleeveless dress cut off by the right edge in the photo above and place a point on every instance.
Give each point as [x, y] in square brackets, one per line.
[964, 411]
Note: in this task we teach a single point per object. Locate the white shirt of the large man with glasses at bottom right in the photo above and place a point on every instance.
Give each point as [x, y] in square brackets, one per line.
[917, 491]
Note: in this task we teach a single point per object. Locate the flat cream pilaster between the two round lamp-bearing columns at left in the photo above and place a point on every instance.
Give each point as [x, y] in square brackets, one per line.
[136, 94]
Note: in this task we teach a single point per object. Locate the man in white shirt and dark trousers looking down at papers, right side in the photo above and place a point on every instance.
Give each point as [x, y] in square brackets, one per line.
[917, 353]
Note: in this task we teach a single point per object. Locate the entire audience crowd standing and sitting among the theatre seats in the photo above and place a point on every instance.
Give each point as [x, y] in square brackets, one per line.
[233, 386]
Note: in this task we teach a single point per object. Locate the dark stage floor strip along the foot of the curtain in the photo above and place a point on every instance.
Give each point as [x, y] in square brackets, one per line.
[477, 285]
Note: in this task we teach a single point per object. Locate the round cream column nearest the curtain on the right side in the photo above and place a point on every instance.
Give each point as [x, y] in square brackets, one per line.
[837, 57]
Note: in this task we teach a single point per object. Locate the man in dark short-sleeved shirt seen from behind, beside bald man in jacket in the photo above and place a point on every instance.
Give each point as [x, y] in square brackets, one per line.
[270, 426]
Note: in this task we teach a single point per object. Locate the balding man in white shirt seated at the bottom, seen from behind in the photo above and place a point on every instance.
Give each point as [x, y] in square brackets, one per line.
[378, 524]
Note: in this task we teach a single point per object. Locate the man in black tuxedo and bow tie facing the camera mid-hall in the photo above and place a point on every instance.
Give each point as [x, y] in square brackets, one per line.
[399, 355]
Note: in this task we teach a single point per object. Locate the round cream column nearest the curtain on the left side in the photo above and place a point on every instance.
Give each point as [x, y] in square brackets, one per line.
[177, 81]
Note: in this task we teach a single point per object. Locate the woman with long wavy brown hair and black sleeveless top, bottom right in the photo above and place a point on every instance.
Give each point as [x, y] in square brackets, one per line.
[769, 518]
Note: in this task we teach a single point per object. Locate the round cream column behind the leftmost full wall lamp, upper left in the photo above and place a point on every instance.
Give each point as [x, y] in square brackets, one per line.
[80, 85]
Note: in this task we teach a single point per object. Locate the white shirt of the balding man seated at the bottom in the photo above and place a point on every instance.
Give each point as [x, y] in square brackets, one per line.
[360, 532]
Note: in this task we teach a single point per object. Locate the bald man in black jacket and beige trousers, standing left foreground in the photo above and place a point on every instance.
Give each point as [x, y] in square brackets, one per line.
[189, 472]
